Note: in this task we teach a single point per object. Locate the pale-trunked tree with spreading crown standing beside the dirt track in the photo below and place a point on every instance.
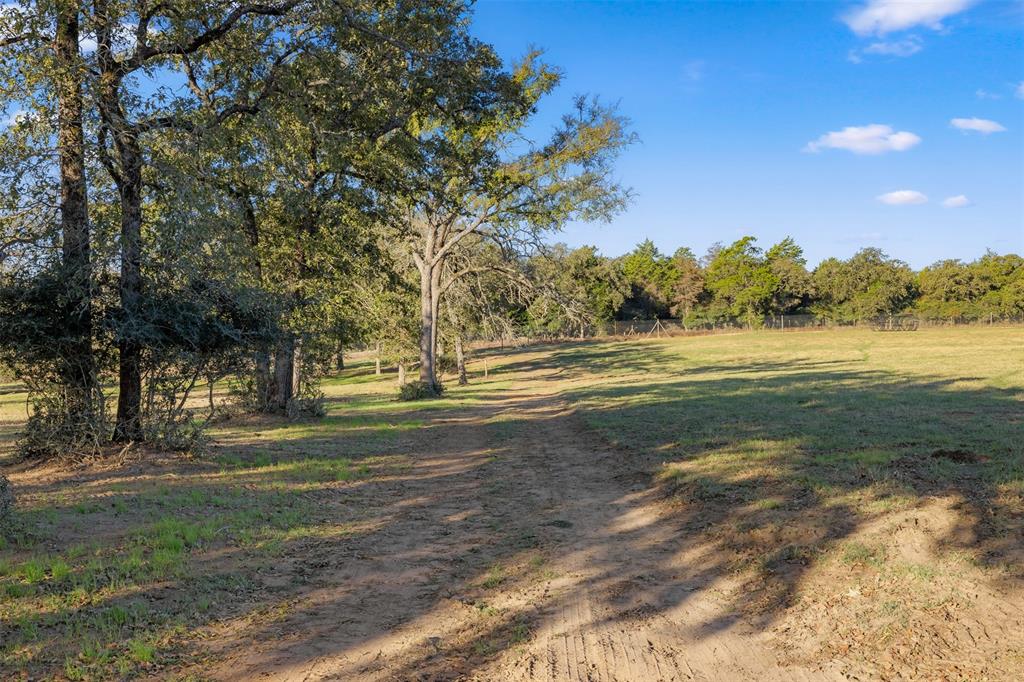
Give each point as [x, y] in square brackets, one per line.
[475, 178]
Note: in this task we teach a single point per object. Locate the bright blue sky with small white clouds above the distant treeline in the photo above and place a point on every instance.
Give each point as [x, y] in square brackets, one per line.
[735, 103]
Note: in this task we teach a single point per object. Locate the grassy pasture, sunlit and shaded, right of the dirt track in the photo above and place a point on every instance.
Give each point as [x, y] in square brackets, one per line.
[794, 453]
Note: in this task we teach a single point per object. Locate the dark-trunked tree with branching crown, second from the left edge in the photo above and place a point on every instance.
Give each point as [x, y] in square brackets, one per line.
[222, 51]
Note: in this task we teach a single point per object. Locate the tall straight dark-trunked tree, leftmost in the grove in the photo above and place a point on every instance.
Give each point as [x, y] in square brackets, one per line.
[42, 69]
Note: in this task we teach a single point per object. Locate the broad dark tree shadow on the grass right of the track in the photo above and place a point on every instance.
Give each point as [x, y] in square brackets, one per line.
[781, 470]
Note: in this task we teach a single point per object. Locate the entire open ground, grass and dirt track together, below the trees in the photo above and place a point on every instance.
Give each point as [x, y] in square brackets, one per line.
[840, 504]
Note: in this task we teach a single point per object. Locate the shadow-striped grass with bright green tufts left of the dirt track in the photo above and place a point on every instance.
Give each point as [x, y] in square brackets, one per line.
[151, 551]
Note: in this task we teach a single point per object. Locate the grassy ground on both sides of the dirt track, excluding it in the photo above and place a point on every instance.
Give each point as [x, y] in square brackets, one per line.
[793, 455]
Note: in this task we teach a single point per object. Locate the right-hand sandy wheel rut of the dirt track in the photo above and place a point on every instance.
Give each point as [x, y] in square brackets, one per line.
[627, 607]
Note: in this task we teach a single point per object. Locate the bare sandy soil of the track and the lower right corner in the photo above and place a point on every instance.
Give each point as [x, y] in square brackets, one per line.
[519, 546]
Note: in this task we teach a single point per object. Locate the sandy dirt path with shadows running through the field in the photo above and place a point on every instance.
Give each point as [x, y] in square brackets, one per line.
[547, 540]
